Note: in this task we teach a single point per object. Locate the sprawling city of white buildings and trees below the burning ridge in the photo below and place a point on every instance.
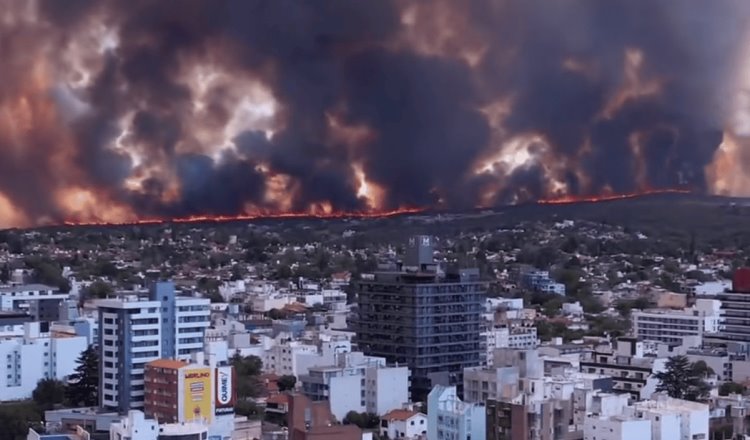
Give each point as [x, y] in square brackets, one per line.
[475, 325]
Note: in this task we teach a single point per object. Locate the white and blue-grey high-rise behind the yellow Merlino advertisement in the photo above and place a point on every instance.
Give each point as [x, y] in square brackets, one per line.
[135, 331]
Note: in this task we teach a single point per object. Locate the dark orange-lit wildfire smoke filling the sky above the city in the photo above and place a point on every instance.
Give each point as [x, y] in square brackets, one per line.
[117, 111]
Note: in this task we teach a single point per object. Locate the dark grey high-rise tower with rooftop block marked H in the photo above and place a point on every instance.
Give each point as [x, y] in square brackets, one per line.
[417, 315]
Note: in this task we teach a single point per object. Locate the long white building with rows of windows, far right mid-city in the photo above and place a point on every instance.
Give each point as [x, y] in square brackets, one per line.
[673, 325]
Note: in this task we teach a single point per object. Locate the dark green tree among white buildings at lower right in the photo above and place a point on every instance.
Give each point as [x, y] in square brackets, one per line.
[681, 380]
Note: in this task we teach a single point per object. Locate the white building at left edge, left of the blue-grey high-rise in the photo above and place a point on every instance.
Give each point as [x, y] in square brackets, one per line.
[36, 355]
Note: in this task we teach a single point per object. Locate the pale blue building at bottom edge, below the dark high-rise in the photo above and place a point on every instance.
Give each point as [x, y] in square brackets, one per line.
[450, 418]
